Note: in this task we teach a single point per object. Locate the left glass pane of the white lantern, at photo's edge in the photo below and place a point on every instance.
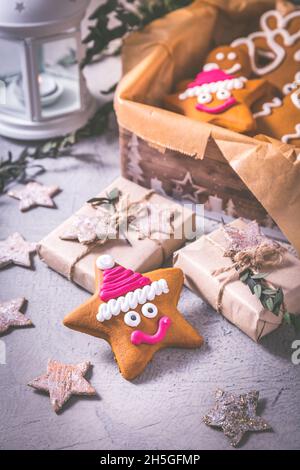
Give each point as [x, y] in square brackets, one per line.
[12, 96]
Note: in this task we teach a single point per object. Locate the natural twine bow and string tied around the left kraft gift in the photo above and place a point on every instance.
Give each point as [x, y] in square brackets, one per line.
[125, 213]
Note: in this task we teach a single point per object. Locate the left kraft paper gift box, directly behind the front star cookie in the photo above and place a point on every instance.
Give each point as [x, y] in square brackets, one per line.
[142, 255]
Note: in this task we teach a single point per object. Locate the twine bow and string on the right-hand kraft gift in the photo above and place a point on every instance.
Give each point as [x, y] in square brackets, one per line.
[264, 255]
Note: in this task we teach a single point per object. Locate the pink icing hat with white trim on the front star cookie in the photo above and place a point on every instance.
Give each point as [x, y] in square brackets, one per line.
[122, 289]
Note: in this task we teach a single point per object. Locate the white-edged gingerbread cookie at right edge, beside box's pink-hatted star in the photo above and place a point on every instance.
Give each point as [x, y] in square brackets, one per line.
[281, 119]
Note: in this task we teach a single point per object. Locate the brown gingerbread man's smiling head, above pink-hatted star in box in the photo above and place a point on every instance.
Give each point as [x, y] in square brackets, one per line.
[232, 60]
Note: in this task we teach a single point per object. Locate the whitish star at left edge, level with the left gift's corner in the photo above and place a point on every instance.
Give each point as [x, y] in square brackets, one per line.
[15, 250]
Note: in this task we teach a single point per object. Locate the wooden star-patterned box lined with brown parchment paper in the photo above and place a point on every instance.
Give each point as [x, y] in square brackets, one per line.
[189, 159]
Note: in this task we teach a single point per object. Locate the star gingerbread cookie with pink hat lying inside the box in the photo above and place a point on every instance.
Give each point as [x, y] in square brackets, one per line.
[219, 98]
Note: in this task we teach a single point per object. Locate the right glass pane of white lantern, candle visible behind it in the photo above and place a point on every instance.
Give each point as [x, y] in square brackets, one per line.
[58, 77]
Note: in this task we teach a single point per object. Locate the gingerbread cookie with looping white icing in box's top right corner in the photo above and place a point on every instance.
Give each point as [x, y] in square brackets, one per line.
[278, 44]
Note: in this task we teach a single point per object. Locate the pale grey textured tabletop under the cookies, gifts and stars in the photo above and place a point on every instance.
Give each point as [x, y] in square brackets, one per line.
[163, 408]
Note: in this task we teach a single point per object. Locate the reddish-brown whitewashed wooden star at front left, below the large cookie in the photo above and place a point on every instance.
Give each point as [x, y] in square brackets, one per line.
[62, 381]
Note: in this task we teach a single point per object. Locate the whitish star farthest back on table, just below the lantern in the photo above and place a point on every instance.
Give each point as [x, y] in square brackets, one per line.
[34, 194]
